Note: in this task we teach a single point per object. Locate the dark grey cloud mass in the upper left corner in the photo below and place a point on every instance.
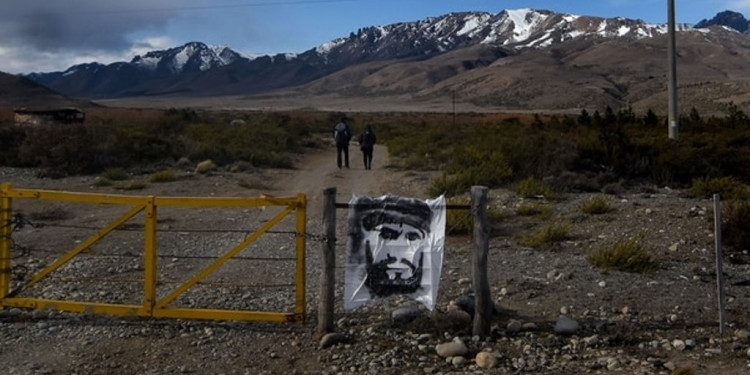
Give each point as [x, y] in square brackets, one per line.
[54, 25]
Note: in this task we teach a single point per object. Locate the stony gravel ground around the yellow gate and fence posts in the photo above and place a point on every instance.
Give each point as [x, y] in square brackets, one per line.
[555, 313]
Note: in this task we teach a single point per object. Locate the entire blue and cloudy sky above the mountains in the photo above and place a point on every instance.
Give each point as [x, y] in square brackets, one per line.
[53, 35]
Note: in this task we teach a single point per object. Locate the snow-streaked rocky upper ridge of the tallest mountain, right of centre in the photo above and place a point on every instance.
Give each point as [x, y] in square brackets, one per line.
[516, 29]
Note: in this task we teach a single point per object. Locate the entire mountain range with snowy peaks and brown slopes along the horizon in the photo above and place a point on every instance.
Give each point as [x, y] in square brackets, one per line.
[520, 59]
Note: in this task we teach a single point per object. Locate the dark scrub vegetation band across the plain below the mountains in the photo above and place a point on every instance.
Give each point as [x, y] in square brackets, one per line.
[538, 157]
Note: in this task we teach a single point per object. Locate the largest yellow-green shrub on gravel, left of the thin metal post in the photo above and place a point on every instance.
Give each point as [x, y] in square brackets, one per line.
[623, 255]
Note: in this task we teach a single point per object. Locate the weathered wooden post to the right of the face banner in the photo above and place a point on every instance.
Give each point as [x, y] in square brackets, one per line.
[483, 301]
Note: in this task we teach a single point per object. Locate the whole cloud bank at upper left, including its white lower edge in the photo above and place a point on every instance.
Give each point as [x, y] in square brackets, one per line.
[52, 35]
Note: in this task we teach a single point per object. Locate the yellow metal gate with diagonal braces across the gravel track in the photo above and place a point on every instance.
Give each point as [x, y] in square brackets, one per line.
[158, 296]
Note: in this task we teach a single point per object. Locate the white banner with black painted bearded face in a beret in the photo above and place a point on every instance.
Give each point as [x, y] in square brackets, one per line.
[394, 247]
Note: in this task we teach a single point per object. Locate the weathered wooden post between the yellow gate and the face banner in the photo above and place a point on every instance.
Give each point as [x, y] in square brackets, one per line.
[328, 277]
